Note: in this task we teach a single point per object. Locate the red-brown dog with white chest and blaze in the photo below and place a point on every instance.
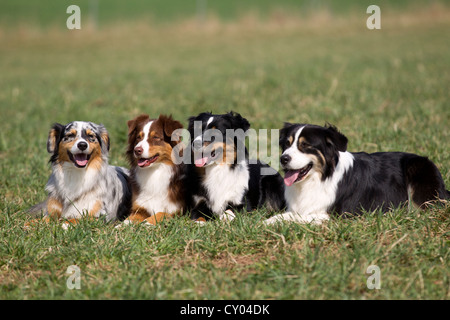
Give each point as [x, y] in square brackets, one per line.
[158, 183]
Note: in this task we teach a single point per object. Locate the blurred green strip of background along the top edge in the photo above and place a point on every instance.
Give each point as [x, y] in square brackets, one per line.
[51, 12]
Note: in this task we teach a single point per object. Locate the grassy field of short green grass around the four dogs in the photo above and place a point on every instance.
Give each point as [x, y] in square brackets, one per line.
[387, 90]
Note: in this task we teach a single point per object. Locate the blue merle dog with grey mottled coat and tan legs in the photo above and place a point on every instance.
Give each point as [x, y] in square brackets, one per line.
[82, 182]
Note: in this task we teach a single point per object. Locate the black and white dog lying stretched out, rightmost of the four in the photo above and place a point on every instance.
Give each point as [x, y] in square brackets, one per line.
[322, 178]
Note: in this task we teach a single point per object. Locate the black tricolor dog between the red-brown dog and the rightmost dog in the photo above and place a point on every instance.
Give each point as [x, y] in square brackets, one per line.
[226, 179]
